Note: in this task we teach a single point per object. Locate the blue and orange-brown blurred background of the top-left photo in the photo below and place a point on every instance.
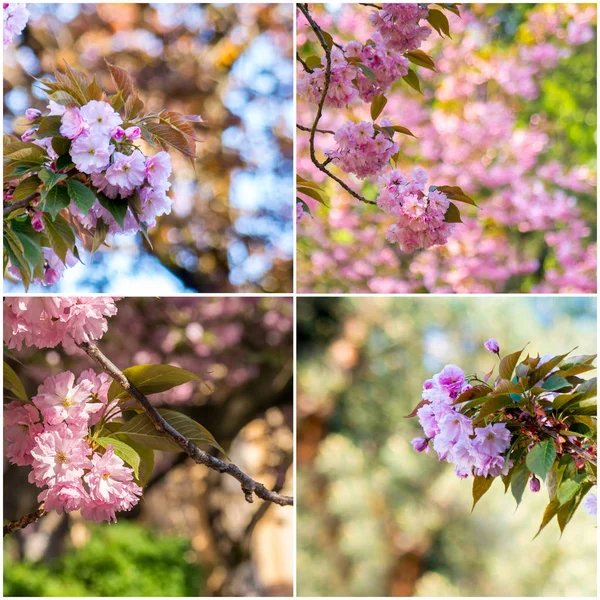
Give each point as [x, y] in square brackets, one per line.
[231, 227]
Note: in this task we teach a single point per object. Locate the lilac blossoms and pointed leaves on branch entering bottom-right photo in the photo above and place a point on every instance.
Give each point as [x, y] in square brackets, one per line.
[536, 421]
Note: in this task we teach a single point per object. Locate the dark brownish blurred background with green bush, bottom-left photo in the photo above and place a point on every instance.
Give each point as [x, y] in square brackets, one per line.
[193, 533]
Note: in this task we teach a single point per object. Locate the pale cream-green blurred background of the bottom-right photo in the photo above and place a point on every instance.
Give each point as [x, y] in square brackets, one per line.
[375, 518]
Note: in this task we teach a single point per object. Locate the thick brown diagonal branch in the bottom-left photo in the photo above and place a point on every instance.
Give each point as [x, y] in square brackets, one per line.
[249, 486]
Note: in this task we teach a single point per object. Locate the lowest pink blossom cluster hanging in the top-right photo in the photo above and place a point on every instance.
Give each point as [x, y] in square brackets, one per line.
[419, 214]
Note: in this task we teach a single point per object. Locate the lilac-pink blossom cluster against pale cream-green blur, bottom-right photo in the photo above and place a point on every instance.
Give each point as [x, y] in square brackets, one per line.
[473, 450]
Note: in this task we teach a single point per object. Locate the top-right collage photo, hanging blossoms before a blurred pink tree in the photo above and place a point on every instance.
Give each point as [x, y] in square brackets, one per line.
[446, 148]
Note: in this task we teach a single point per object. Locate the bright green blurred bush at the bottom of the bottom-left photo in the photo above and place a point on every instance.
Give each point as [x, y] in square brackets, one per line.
[120, 560]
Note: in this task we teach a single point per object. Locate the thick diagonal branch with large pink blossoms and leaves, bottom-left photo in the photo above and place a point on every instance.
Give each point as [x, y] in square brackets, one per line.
[72, 435]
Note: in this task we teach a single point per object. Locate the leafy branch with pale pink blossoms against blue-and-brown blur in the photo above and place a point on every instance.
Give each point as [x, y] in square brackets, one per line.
[79, 173]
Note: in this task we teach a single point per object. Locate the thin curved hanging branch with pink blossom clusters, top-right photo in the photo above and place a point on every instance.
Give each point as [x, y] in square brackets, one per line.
[425, 217]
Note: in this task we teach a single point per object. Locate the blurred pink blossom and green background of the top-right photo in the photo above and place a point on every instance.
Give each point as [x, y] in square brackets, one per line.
[510, 116]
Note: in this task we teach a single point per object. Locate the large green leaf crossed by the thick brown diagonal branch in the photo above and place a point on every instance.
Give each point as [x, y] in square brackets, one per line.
[141, 430]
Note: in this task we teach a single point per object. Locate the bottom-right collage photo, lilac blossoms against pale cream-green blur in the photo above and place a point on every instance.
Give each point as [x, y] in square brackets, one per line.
[446, 447]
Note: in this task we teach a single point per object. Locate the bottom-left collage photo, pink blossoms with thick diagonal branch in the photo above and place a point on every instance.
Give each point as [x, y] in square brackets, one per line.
[81, 450]
